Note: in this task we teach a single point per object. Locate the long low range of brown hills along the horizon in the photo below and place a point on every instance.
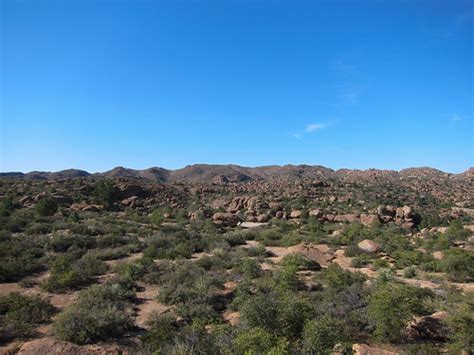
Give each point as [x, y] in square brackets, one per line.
[206, 173]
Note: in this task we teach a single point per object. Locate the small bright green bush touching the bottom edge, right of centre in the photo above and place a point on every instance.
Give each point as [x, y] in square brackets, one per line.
[321, 335]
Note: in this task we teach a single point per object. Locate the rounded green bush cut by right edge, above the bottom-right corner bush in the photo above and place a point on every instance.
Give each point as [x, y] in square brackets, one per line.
[458, 265]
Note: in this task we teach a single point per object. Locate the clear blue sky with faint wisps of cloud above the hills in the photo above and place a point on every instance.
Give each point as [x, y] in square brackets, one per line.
[96, 84]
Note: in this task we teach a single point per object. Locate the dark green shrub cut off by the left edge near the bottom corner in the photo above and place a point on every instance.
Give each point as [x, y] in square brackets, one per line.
[19, 314]
